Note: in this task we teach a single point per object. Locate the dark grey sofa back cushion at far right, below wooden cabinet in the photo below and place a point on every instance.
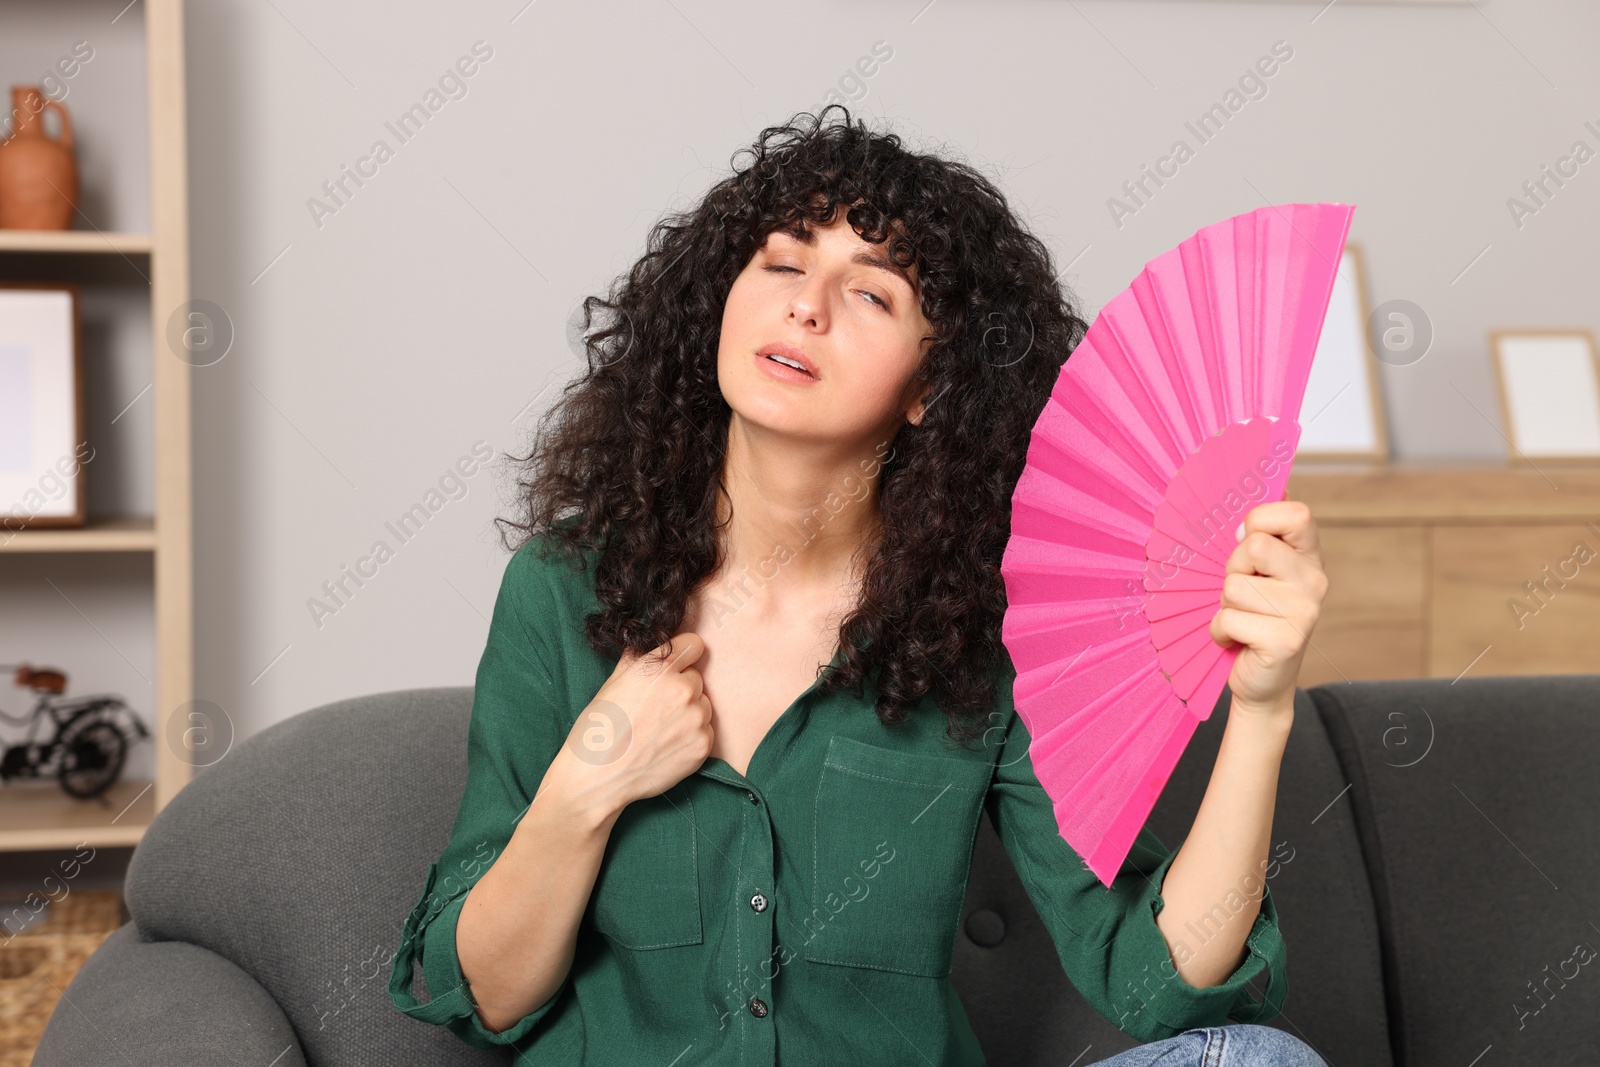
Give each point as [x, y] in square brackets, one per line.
[1476, 805]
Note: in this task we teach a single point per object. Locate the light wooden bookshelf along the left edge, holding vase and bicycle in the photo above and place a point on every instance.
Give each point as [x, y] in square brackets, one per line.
[42, 815]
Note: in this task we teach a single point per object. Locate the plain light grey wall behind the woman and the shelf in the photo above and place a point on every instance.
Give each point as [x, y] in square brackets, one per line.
[380, 343]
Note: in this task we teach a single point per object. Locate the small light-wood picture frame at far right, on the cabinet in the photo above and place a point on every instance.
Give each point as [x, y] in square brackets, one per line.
[1550, 394]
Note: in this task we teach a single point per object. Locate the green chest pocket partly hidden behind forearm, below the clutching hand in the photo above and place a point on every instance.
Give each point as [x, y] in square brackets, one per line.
[647, 892]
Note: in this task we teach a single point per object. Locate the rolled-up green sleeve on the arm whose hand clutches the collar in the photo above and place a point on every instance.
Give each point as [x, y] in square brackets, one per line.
[514, 735]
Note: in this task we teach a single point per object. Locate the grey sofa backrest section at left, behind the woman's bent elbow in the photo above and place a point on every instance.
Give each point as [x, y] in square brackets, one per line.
[298, 858]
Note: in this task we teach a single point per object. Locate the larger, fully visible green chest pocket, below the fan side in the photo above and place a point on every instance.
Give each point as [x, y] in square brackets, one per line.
[894, 842]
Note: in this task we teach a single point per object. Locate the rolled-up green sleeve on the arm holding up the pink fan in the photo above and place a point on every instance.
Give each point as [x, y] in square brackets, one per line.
[1106, 938]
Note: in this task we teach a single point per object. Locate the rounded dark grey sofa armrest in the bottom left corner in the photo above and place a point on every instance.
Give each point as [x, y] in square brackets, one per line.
[164, 1002]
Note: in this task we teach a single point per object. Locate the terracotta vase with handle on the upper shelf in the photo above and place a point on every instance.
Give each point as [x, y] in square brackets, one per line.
[39, 177]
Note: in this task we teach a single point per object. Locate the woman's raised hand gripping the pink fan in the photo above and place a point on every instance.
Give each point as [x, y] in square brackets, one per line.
[1271, 601]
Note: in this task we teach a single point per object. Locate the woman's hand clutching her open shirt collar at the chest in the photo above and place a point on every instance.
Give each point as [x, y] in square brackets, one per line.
[649, 727]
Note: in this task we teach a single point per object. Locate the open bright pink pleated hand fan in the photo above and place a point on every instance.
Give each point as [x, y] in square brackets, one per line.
[1174, 418]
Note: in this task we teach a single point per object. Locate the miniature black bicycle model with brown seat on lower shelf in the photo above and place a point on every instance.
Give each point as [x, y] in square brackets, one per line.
[92, 735]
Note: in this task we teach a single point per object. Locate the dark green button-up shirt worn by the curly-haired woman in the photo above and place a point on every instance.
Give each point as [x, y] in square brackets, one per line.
[806, 911]
